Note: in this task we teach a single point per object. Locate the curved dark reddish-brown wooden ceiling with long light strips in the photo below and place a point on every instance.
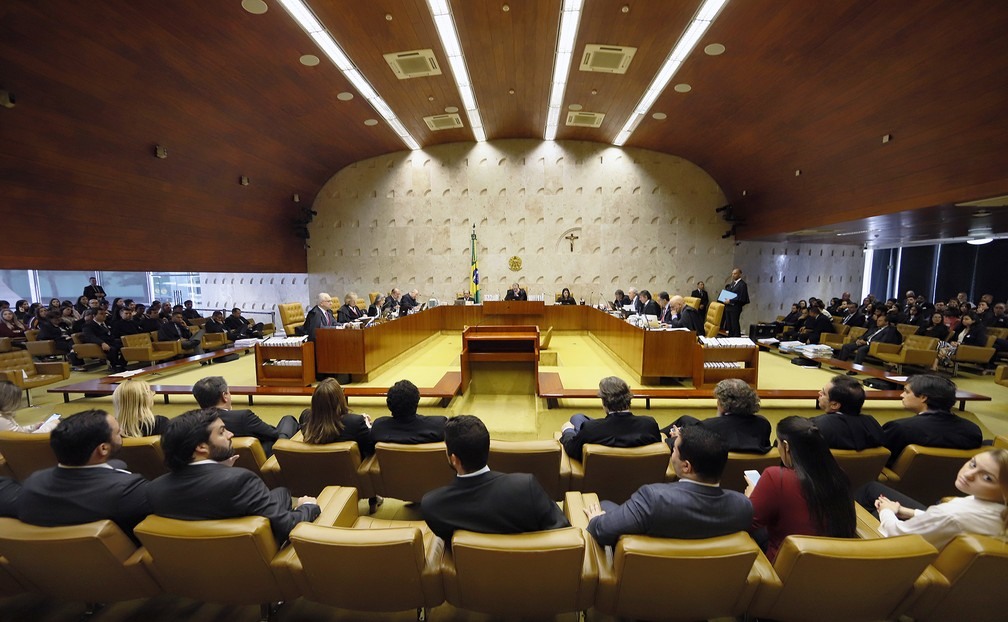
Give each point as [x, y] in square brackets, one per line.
[810, 87]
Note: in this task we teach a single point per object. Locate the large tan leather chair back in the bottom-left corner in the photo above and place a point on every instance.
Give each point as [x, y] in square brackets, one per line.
[93, 563]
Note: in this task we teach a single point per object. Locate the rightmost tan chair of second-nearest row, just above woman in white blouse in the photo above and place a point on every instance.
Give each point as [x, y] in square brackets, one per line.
[926, 473]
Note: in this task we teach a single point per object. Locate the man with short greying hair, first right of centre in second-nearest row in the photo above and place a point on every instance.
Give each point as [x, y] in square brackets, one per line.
[620, 428]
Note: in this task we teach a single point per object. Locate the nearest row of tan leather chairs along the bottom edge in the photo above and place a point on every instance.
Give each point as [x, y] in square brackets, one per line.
[361, 564]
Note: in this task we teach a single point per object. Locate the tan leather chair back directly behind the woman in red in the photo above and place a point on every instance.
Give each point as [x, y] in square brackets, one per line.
[826, 579]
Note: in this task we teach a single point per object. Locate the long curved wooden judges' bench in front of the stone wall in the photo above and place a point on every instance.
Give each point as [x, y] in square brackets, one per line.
[651, 354]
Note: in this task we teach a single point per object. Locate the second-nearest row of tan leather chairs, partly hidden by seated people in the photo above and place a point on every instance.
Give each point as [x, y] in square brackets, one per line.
[408, 472]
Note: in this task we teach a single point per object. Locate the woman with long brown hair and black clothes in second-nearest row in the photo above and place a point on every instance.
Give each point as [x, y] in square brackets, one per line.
[329, 420]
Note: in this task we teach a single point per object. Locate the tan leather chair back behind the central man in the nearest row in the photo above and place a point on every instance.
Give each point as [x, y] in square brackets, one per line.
[532, 575]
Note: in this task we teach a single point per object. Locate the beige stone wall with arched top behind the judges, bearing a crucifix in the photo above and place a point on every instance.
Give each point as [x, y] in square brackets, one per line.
[404, 220]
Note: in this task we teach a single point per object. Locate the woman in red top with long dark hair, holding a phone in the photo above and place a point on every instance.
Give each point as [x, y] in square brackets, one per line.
[809, 495]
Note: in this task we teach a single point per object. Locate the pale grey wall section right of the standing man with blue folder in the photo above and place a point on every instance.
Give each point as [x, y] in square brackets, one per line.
[781, 274]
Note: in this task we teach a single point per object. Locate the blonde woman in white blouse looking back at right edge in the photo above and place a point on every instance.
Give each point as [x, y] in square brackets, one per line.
[984, 478]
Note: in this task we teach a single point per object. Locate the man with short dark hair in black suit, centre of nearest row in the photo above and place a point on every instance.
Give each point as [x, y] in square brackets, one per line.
[483, 501]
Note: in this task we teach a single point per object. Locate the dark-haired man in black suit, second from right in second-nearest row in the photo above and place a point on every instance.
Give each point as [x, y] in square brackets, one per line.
[843, 425]
